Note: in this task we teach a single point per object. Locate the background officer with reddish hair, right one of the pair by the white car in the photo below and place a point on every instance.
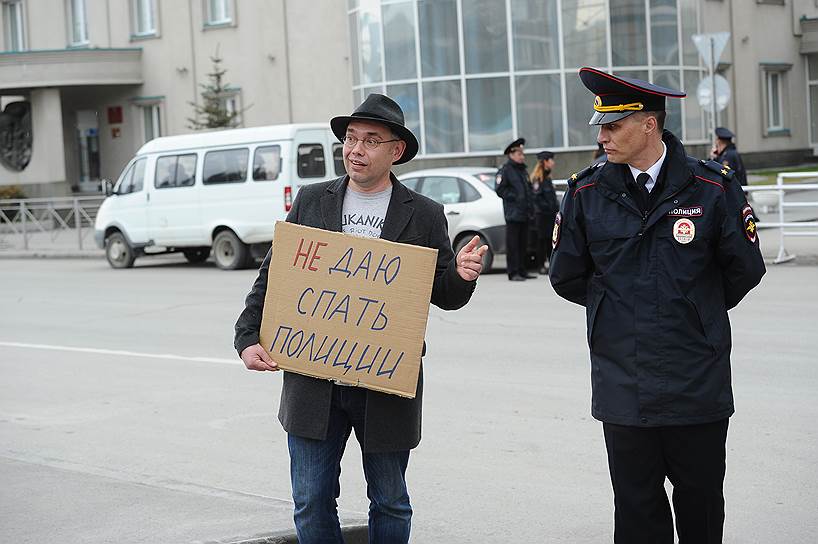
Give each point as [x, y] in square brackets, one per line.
[545, 208]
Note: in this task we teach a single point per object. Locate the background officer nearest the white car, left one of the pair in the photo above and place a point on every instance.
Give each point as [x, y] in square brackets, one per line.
[513, 187]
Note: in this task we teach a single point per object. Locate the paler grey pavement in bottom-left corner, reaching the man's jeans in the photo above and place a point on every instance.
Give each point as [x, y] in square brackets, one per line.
[144, 510]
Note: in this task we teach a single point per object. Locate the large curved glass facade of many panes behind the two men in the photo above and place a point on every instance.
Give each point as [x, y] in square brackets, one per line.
[473, 74]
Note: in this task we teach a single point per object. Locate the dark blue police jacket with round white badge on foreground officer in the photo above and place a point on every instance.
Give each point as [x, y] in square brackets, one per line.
[657, 285]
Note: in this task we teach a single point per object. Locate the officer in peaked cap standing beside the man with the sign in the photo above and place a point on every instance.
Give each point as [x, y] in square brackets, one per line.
[657, 246]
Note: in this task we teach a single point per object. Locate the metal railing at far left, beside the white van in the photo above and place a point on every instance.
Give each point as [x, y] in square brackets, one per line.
[46, 220]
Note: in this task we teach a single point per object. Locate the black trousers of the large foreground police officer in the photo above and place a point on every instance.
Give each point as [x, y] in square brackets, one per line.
[692, 457]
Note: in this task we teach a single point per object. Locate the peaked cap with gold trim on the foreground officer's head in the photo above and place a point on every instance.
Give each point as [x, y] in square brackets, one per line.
[617, 97]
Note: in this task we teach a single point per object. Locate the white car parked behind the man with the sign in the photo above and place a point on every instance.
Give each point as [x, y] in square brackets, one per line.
[470, 203]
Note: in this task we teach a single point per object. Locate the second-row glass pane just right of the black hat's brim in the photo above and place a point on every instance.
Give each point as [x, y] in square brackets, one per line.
[443, 114]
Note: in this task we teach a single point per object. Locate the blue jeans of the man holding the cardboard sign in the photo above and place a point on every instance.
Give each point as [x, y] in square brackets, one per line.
[315, 468]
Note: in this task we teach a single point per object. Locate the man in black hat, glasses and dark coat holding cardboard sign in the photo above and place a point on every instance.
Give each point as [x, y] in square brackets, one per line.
[317, 414]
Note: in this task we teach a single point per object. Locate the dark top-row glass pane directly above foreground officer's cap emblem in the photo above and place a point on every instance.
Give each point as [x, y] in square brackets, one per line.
[629, 33]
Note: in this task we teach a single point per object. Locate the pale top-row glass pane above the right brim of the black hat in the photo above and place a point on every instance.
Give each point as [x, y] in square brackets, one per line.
[399, 41]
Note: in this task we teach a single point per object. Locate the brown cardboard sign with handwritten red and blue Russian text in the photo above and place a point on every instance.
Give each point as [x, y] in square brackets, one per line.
[347, 308]
